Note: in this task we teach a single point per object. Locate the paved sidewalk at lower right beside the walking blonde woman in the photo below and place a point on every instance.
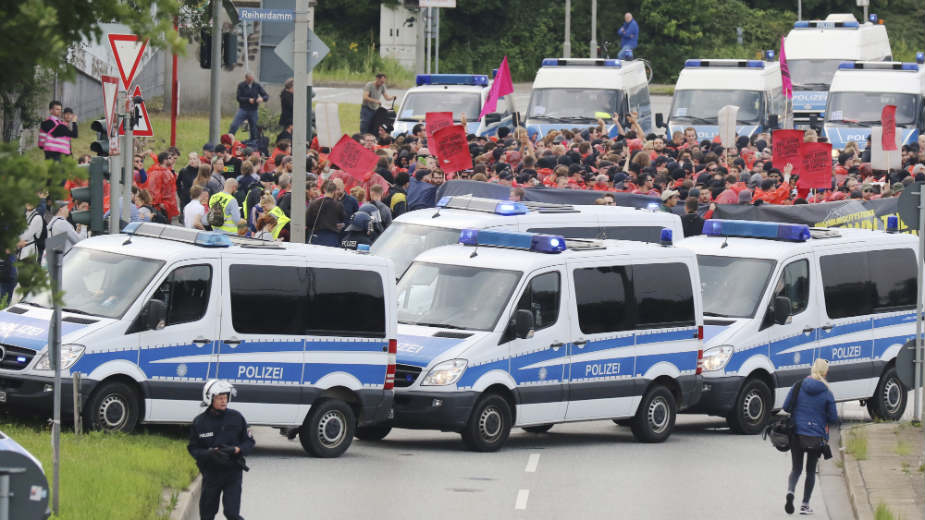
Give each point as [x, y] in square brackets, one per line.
[883, 466]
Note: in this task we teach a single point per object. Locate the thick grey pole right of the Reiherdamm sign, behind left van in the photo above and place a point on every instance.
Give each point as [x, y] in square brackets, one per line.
[299, 107]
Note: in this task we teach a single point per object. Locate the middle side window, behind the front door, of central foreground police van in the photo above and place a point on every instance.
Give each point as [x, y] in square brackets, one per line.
[602, 297]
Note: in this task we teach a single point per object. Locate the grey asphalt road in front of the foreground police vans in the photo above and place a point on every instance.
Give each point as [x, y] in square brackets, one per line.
[579, 470]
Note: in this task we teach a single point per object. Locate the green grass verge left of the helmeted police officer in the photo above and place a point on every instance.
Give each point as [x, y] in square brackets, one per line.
[110, 475]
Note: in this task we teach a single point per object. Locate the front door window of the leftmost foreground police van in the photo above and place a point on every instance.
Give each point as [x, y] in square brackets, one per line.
[186, 293]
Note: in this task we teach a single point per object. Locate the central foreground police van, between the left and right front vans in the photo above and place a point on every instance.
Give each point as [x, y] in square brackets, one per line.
[512, 329]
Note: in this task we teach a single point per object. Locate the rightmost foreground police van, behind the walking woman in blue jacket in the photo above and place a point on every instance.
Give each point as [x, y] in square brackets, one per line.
[778, 296]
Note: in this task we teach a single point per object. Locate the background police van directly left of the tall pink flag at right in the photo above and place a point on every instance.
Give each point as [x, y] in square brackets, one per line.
[705, 86]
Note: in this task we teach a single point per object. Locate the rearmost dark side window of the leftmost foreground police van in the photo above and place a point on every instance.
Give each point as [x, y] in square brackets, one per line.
[345, 303]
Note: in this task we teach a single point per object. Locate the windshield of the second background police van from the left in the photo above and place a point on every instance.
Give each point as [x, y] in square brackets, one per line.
[574, 104]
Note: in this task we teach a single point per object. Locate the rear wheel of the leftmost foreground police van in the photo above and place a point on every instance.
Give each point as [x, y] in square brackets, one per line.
[328, 430]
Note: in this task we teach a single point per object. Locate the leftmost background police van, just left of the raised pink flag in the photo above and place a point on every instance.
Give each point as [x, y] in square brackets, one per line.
[456, 93]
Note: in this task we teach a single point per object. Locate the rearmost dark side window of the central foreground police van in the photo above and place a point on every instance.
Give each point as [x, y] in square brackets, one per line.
[664, 297]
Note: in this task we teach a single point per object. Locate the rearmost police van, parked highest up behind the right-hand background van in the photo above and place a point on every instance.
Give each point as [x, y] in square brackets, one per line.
[815, 48]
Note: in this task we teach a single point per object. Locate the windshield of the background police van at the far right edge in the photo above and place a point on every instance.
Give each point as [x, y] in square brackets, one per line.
[864, 108]
